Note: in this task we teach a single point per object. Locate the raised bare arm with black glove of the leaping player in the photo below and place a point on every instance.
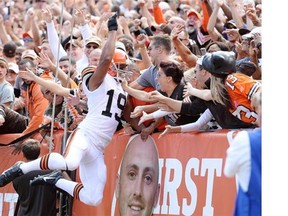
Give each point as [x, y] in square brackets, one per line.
[106, 55]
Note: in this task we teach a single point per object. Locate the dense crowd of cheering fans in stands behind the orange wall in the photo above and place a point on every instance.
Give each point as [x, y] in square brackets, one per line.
[59, 40]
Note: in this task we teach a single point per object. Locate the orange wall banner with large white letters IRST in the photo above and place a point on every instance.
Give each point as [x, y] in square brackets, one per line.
[191, 176]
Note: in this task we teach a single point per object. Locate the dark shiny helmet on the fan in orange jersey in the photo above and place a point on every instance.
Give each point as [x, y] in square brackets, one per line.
[219, 63]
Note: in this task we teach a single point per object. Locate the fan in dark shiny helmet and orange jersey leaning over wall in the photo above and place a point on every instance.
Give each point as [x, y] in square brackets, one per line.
[230, 86]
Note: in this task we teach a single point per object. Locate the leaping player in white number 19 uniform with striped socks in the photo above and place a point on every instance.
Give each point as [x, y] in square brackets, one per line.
[85, 146]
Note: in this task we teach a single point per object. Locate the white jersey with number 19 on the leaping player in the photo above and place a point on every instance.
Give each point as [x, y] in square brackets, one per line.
[105, 106]
